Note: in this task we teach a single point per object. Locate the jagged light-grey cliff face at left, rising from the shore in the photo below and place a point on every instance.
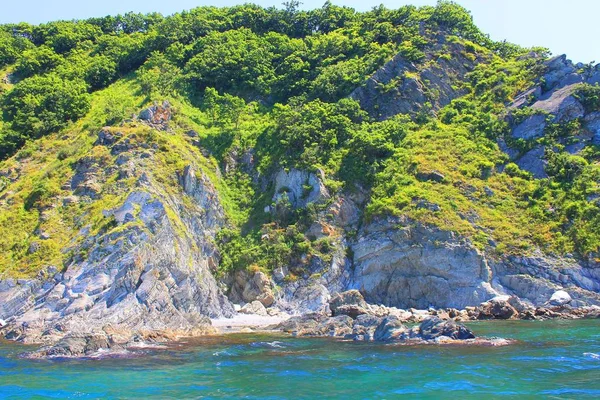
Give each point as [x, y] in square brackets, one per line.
[148, 270]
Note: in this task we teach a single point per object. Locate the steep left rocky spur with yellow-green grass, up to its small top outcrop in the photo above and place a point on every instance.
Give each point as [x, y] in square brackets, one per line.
[147, 265]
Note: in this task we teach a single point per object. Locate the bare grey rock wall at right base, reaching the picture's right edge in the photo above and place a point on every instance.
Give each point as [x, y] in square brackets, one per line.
[403, 264]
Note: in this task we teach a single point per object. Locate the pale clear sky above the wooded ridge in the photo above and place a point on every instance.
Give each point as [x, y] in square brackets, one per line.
[564, 26]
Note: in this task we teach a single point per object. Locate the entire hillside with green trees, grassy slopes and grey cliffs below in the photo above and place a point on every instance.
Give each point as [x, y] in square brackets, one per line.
[156, 170]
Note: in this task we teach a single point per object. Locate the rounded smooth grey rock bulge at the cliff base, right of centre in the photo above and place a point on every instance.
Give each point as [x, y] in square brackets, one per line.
[412, 266]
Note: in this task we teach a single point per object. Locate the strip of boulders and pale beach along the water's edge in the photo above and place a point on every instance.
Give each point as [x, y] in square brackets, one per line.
[347, 317]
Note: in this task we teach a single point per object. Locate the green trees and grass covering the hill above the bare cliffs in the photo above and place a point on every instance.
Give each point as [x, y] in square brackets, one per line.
[403, 108]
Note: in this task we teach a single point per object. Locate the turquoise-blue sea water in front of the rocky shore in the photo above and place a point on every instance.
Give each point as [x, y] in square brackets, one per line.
[554, 359]
